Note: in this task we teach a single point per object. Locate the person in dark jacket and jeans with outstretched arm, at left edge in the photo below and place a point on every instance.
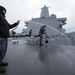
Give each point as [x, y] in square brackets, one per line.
[4, 34]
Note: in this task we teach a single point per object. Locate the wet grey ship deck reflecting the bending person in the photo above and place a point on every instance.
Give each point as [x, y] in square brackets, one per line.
[27, 59]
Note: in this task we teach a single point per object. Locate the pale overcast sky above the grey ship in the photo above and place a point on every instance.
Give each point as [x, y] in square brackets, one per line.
[26, 9]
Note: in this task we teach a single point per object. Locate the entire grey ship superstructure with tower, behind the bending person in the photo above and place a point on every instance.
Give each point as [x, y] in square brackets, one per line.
[54, 28]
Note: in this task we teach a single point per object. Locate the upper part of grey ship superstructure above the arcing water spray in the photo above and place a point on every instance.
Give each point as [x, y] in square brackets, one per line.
[51, 20]
